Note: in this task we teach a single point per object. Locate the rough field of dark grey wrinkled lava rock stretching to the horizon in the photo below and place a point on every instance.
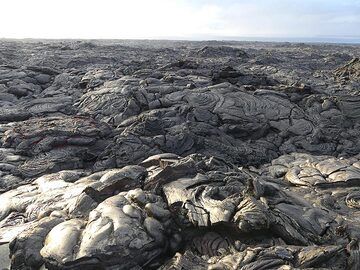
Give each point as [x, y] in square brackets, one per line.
[179, 155]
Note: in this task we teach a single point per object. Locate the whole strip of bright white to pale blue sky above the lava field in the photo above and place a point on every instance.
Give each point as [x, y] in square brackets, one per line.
[179, 19]
